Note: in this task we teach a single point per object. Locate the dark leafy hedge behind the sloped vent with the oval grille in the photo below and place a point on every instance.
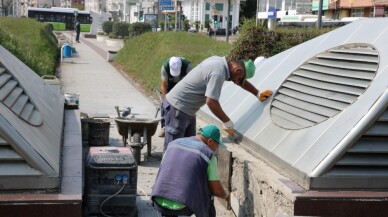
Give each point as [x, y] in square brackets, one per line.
[257, 41]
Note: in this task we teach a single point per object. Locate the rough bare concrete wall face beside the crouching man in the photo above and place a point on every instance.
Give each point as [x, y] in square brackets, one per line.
[258, 190]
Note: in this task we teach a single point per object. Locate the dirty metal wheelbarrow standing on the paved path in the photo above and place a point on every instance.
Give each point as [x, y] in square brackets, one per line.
[136, 133]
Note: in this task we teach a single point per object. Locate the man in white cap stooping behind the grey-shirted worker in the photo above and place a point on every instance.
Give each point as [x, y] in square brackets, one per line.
[173, 70]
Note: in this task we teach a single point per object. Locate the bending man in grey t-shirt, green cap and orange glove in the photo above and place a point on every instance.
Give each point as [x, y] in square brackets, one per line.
[203, 86]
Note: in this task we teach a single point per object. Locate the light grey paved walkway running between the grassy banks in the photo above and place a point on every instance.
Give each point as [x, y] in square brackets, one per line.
[101, 88]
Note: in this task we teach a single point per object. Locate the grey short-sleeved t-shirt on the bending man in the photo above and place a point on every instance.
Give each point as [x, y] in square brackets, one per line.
[205, 80]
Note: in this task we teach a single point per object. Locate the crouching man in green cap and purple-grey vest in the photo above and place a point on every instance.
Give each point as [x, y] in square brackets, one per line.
[188, 176]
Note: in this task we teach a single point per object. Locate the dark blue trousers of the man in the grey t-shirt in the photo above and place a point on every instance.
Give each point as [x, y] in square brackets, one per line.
[178, 124]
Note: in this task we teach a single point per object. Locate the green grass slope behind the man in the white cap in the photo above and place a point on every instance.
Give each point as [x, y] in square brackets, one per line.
[142, 56]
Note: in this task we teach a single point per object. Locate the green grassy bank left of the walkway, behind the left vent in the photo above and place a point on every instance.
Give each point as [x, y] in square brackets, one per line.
[38, 51]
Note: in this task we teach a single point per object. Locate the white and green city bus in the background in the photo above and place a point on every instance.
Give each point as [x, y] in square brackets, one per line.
[61, 18]
